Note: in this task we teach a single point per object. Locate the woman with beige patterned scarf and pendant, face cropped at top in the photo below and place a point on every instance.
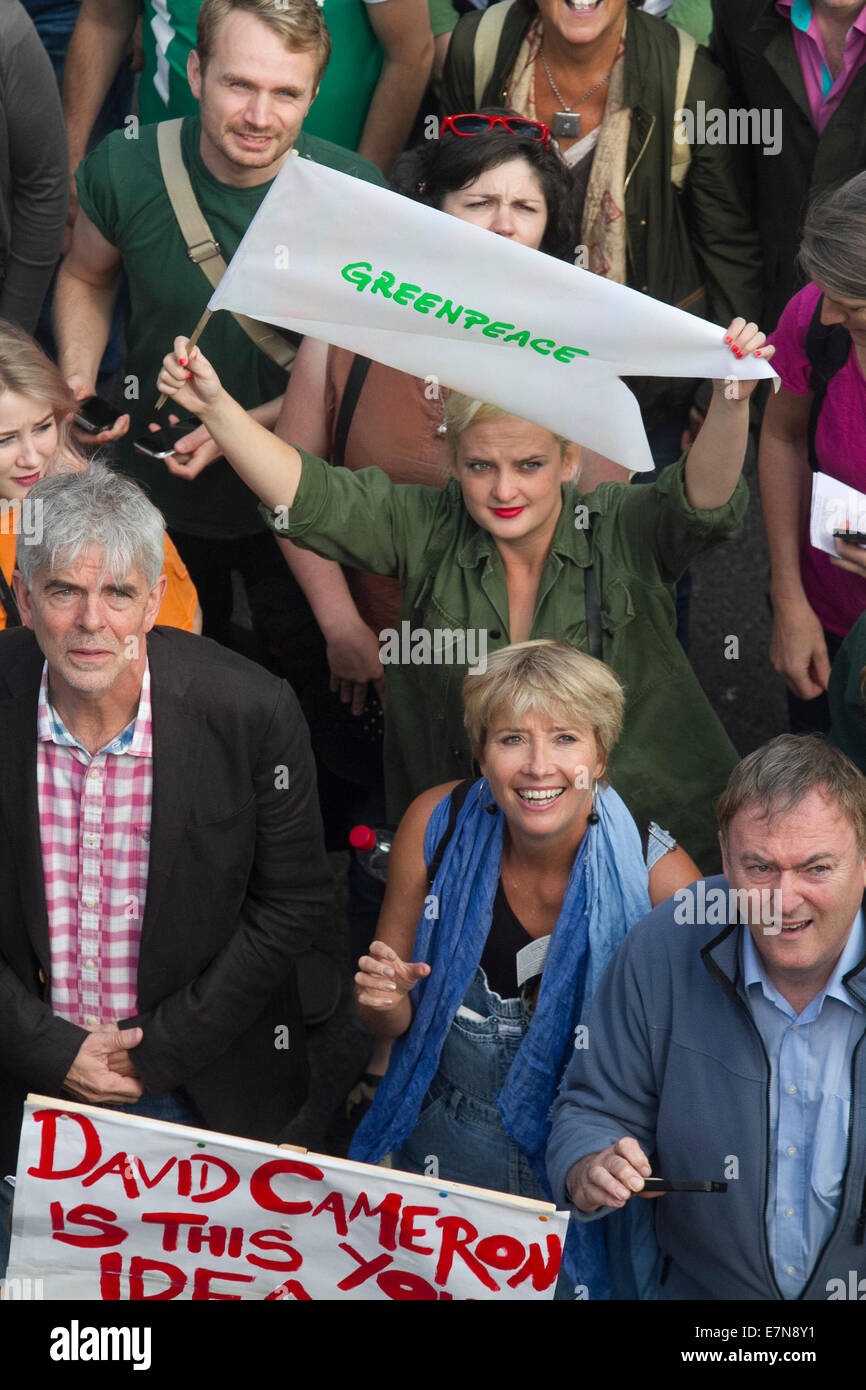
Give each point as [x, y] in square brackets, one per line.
[651, 211]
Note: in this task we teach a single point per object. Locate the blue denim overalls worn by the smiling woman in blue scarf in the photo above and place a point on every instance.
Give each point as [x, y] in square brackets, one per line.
[459, 1135]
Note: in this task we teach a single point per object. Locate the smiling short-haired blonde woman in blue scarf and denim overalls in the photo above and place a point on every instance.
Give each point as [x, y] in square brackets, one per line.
[507, 897]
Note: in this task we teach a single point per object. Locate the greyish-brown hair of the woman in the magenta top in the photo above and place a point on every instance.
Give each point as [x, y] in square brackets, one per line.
[833, 248]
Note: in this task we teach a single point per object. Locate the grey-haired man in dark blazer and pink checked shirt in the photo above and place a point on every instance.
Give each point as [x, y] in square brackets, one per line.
[162, 861]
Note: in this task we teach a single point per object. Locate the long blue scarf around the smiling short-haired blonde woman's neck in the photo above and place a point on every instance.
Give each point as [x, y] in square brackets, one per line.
[607, 894]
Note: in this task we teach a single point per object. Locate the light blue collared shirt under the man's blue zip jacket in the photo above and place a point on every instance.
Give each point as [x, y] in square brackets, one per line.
[810, 1107]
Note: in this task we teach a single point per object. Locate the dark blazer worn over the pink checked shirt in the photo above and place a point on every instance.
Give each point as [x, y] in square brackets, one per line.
[237, 885]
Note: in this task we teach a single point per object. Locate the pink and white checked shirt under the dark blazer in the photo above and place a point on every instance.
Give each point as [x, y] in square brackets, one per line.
[95, 826]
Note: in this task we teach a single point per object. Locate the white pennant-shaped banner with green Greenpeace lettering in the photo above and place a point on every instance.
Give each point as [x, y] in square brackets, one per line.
[365, 269]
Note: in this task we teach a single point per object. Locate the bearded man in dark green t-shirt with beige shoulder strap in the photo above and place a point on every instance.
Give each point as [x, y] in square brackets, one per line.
[255, 73]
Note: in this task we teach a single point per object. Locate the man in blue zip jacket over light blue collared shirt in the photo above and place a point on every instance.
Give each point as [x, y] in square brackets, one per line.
[729, 1052]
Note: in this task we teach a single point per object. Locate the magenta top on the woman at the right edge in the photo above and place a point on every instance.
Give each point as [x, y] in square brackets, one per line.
[839, 598]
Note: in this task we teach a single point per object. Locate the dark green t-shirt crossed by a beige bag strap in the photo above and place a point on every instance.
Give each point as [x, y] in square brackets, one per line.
[122, 190]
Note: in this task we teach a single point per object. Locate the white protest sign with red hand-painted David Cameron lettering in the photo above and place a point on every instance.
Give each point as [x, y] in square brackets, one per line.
[113, 1207]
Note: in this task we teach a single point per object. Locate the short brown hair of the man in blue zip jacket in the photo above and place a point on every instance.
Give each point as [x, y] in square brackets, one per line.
[778, 776]
